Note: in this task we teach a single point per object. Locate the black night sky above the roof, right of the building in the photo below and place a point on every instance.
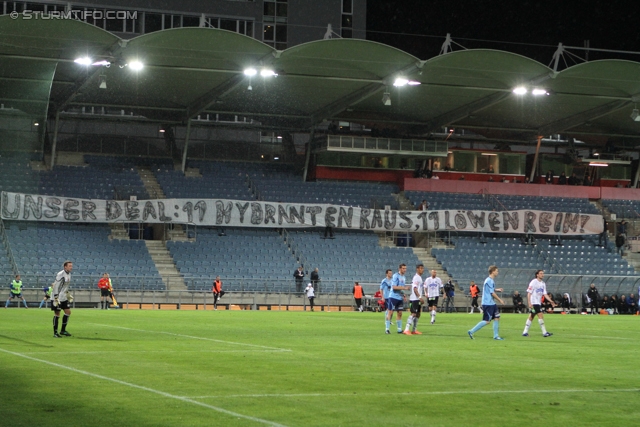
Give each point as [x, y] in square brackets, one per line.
[516, 26]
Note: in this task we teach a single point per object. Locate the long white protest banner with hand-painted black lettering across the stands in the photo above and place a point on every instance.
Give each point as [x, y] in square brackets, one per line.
[252, 213]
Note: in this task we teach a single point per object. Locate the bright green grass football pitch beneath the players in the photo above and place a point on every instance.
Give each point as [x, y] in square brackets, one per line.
[153, 368]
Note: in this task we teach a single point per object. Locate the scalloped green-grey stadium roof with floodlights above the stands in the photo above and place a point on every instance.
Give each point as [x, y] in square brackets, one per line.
[192, 71]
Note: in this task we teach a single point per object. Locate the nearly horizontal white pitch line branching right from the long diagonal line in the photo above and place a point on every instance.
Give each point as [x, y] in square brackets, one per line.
[354, 394]
